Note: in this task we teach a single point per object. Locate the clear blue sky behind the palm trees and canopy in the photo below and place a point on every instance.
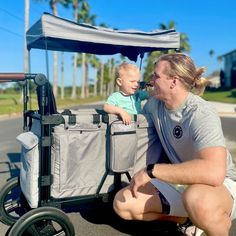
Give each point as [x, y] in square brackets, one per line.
[209, 24]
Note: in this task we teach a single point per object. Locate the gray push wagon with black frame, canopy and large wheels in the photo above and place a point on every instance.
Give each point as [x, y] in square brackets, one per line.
[73, 156]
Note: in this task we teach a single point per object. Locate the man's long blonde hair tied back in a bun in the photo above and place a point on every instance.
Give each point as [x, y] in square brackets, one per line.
[183, 66]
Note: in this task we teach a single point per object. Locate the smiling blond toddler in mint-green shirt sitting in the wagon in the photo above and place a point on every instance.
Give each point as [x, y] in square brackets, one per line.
[128, 100]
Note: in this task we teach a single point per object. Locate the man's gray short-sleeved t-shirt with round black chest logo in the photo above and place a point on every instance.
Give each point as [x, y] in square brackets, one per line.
[193, 126]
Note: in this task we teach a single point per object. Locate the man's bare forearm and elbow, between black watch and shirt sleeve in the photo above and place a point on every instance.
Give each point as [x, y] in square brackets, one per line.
[210, 170]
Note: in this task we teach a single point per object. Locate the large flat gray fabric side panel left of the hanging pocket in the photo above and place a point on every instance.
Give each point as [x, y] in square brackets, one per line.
[79, 155]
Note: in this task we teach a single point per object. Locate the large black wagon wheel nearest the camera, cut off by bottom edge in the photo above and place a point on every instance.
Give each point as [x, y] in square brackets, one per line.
[46, 221]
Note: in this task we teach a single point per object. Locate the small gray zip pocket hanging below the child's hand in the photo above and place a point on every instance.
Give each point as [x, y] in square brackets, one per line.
[123, 147]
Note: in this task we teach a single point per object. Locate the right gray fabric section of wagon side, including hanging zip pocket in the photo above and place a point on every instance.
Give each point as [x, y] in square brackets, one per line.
[133, 146]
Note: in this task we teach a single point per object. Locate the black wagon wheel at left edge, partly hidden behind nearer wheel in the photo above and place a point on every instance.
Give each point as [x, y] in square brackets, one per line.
[10, 205]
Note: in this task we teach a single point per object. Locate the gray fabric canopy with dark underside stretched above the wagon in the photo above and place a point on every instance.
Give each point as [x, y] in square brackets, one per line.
[54, 33]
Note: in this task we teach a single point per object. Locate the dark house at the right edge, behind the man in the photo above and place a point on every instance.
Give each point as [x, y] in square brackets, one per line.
[228, 75]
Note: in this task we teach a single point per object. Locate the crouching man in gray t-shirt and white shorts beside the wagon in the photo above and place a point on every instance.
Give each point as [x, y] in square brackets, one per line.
[198, 181]
